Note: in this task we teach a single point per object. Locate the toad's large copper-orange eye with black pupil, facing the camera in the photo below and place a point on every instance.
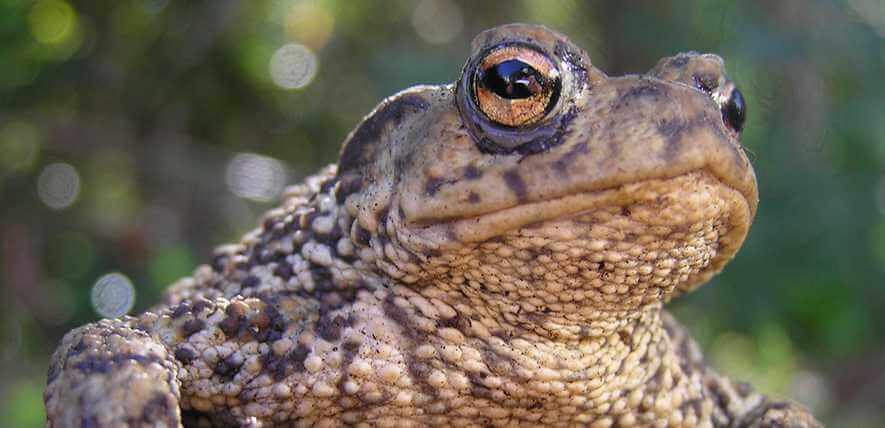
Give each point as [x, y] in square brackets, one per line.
[516, 86]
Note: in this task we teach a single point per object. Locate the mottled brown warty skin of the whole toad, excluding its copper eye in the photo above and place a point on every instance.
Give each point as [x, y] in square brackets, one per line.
[443, 274]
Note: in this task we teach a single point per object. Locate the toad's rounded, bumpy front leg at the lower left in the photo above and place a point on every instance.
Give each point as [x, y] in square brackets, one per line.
[111, 374]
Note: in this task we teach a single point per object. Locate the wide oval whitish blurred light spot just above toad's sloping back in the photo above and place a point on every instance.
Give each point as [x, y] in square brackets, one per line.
[256, 177]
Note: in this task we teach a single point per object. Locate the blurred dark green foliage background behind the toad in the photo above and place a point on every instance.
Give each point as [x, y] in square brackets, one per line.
[136, 135]
